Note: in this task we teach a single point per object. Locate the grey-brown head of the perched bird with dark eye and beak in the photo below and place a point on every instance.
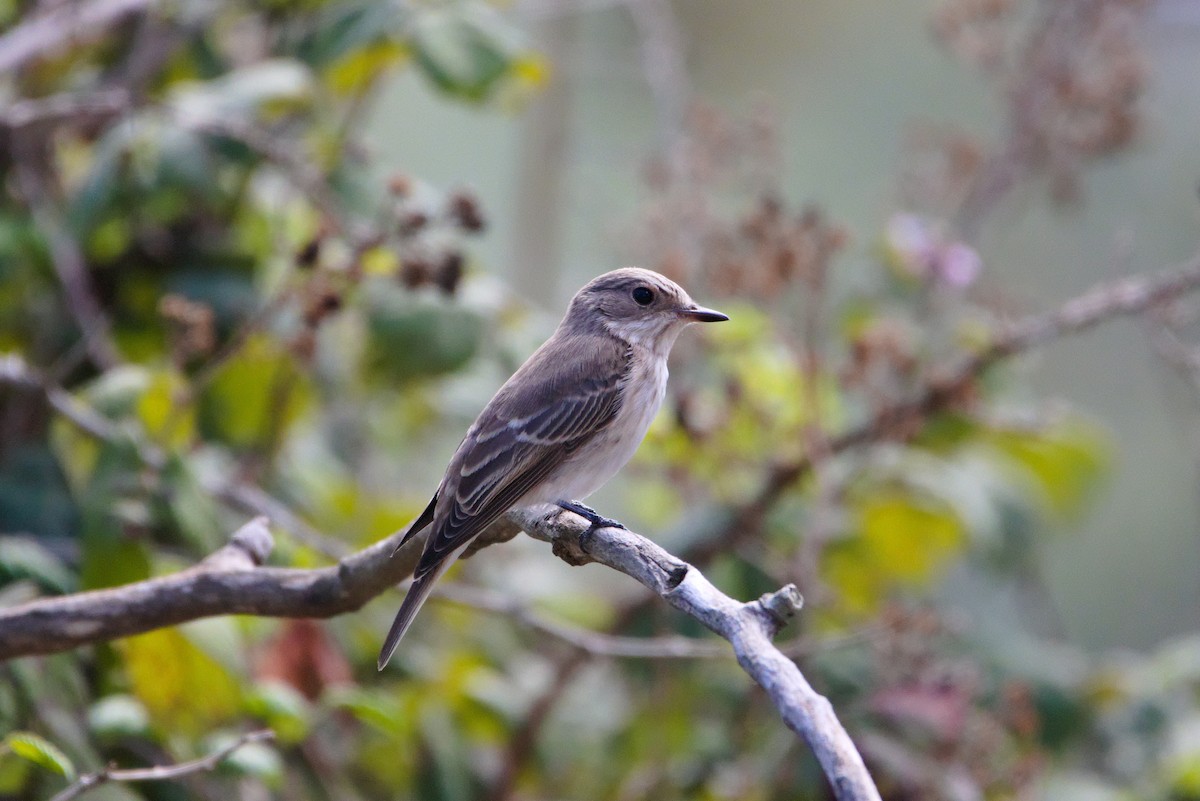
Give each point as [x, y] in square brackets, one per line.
[639, 306]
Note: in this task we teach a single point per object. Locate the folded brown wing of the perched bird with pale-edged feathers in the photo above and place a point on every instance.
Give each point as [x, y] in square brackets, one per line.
[561, 399]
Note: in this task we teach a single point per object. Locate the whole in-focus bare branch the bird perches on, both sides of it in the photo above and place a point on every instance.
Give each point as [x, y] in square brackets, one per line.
[233, 582]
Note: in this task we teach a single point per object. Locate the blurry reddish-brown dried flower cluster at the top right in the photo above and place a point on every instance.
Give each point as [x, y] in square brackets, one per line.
[1070, 75]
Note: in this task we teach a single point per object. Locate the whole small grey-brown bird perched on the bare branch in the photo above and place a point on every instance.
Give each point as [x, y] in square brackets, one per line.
[566, 423]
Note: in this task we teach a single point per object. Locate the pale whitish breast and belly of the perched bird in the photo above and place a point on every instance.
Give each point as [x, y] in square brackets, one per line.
[603, 457]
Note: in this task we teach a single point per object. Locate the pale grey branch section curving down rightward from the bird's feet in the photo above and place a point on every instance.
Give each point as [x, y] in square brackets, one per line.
[749, 628]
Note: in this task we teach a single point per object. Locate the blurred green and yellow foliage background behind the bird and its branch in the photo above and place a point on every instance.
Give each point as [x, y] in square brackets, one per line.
[242, 273]
